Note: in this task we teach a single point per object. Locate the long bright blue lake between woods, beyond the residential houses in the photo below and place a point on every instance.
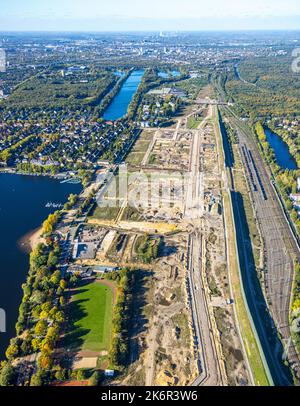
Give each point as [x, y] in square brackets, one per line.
[119, 106]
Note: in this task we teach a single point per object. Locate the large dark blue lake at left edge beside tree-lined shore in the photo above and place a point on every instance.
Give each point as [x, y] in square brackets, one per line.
[23, 208]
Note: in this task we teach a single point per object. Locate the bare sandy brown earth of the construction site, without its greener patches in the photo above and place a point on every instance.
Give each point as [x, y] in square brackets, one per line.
[163, 351]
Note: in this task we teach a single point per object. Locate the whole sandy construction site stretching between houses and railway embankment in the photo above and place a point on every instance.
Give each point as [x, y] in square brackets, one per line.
[162, 214]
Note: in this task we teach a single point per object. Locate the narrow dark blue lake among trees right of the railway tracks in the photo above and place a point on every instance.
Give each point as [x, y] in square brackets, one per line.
[281, 150]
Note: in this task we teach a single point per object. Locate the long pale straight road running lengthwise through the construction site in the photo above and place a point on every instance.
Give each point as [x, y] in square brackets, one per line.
[210, 371]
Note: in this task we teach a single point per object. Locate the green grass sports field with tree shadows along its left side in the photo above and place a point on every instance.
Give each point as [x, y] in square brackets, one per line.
[90, 318]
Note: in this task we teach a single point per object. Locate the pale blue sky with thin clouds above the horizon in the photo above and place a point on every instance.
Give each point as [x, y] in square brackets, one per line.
[106, 15]
